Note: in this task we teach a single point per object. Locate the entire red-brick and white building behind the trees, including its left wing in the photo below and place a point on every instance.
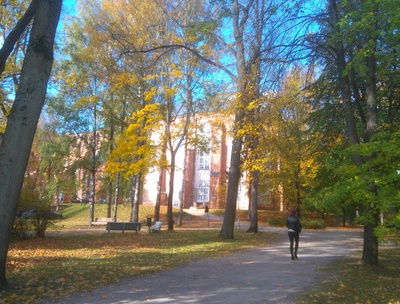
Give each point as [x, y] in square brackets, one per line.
[201, 175]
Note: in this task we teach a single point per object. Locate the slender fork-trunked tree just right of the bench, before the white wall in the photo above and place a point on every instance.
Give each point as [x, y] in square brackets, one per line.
[174, 74]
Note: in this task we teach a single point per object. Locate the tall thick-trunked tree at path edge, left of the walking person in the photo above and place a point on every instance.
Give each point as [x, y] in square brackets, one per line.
[258, 33]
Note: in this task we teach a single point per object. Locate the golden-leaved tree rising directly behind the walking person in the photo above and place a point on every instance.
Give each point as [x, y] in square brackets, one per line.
[290, 166]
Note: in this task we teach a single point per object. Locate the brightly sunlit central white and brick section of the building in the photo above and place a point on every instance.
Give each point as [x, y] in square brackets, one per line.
[200, 176]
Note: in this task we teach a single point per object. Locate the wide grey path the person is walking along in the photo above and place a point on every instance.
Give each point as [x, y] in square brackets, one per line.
[261, 275]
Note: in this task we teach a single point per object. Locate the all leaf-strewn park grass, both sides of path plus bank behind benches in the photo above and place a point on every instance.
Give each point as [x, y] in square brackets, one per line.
[64, 262]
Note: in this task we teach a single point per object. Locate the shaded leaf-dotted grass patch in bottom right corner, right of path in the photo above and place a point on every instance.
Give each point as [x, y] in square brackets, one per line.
[351, 282]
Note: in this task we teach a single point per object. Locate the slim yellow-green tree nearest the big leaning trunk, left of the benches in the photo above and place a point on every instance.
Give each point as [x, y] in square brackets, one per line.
[81, 83]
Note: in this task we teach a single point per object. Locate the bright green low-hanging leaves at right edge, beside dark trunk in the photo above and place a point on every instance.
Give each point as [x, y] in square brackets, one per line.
[349, 186]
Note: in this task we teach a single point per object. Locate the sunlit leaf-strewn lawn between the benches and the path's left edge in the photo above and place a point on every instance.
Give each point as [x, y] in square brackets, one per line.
[56, 266]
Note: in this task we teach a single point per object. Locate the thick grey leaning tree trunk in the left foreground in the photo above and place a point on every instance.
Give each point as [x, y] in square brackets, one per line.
[22, 122]
